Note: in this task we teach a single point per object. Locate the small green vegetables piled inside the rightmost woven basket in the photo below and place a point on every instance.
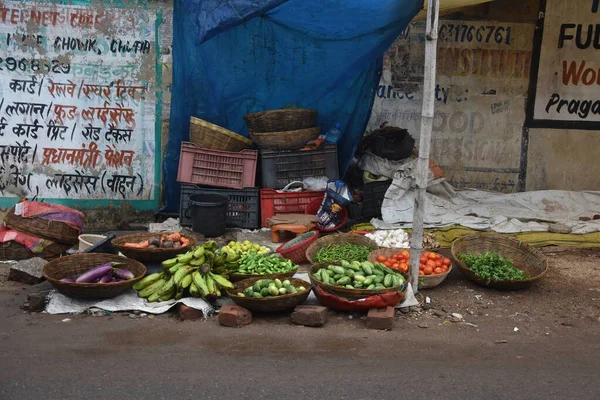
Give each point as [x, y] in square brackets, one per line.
[492, 267]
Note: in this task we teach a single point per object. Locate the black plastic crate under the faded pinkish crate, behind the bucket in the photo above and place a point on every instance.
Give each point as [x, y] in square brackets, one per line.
[243, 210]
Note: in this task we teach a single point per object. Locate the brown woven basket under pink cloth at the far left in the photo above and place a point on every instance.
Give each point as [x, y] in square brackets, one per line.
[52, 230]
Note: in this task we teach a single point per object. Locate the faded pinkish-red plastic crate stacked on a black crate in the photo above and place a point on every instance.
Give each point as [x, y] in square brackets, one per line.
[200, 166]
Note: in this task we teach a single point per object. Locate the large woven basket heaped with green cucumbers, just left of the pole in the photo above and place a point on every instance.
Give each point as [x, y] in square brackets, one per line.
[354, 280]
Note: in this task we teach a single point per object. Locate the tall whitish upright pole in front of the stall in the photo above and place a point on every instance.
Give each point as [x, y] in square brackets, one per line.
[427, 114]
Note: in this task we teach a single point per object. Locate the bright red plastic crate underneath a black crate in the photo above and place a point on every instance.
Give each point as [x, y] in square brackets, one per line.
[272, 203]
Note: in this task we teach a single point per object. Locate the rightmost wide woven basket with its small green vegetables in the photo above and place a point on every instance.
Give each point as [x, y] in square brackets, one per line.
[498, 261]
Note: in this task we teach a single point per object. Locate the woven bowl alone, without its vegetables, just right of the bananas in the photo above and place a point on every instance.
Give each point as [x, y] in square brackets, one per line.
[269, 304]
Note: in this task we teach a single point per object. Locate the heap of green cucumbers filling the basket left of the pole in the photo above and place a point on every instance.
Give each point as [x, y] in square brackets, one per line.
[356, 275]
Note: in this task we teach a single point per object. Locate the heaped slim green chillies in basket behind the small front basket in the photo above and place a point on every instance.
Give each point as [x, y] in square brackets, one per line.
[263, 266]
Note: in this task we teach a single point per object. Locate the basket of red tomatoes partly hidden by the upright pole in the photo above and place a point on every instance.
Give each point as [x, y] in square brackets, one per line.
[433, 267]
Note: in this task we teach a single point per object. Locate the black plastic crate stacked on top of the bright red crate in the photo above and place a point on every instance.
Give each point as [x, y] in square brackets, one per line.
[278, 168]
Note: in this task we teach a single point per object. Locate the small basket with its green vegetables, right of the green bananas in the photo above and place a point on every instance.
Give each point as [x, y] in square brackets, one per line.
[269, 295]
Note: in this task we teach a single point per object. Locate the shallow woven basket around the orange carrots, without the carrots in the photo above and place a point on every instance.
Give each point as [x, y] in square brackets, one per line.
[150, 255]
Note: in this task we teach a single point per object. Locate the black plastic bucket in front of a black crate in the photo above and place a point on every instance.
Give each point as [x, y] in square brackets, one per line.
[209, 213]
